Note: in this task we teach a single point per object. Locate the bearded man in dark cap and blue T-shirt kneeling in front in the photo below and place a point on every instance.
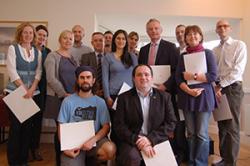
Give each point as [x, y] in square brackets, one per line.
[81, 106]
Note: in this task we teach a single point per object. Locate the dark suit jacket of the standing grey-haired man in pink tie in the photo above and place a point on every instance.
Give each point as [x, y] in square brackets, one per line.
[167, 54]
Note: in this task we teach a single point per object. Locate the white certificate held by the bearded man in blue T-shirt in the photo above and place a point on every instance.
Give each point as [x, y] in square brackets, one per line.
[73, 135]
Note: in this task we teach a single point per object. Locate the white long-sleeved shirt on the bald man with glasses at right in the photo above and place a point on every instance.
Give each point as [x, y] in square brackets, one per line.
[231, 60]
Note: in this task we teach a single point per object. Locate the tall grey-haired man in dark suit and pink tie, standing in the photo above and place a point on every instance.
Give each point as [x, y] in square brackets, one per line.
[161, 52]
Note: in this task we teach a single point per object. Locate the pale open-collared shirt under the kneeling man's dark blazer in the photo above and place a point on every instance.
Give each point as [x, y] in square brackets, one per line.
[145, 103]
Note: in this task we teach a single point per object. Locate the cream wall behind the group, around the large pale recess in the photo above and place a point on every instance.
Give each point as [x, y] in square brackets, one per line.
[63, 14]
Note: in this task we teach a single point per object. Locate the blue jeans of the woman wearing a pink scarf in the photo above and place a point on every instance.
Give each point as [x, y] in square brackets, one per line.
[198, 138]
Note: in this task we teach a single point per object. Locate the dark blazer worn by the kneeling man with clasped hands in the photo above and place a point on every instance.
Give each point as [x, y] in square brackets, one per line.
[129, 118]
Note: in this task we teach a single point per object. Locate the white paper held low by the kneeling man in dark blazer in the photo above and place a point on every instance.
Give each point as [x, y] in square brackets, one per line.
[164, 156]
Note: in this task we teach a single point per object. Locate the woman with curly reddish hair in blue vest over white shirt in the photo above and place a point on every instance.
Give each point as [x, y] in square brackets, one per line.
[24, 68]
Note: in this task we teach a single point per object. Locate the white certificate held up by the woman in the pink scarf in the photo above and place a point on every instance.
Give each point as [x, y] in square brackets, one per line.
[195, 63]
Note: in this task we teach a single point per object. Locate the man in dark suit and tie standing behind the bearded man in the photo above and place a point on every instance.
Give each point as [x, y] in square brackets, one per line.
[95, 59]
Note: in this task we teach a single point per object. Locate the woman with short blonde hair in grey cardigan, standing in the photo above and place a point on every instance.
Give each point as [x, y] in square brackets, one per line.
[60, 68]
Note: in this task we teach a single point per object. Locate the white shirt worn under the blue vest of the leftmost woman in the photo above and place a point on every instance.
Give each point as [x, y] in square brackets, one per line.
[11, 62]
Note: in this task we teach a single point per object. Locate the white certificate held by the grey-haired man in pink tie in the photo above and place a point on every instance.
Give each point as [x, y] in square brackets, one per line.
[161, 73]
